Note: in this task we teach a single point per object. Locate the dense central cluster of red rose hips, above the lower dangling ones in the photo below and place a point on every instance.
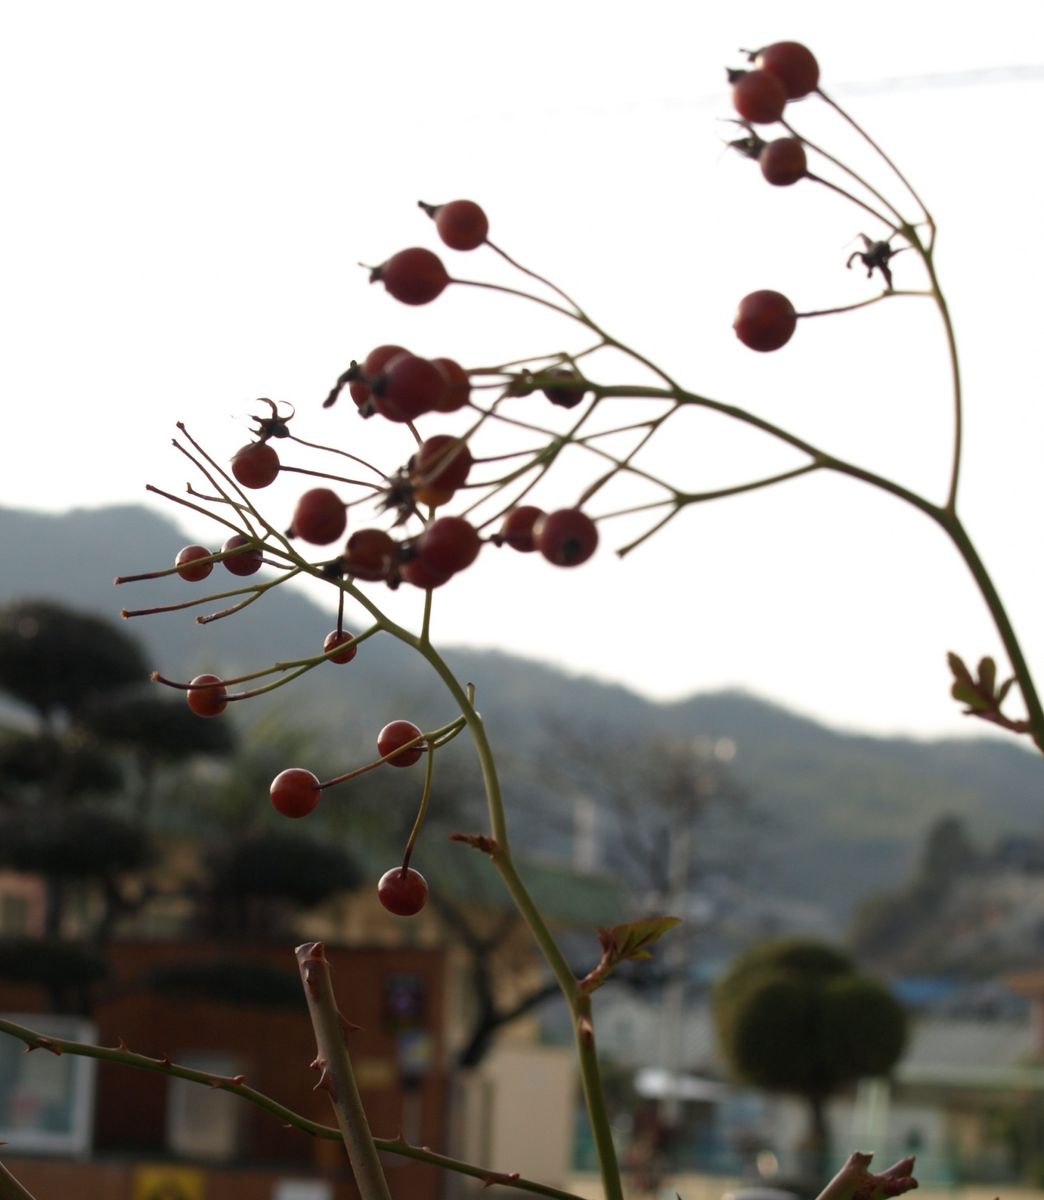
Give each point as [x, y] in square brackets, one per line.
[401, 388]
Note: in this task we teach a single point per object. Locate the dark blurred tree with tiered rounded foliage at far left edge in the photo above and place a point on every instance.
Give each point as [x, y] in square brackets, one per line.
[64, 779]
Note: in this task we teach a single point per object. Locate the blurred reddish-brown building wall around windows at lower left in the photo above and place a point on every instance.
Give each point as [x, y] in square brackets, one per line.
[275, 1048]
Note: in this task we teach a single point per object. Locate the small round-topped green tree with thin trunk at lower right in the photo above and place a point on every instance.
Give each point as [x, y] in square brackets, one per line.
[796, 1016]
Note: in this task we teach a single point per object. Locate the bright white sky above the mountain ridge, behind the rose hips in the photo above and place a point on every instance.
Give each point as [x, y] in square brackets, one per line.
[189, 189]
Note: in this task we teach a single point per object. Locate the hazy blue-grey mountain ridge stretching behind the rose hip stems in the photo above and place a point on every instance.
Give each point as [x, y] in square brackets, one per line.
[839, 817]
